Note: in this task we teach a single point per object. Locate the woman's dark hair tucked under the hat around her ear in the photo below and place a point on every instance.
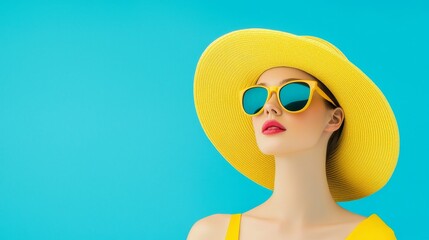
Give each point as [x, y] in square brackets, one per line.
[335, 137]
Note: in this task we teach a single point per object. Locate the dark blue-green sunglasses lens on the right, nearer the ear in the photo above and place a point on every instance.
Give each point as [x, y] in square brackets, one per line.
[294, 96]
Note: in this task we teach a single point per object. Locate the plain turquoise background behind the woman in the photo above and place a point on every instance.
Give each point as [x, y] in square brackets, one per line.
[99, 138]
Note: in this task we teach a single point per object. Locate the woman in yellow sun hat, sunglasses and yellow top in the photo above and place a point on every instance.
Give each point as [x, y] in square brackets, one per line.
[270, 103]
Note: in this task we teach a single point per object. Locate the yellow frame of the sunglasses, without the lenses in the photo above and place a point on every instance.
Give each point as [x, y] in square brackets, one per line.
[313, 86]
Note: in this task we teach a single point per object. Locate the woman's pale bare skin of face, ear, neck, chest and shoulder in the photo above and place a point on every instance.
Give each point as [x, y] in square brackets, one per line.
[301, 206]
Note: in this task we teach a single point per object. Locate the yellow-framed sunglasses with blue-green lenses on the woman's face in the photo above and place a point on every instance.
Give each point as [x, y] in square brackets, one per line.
[294, 96]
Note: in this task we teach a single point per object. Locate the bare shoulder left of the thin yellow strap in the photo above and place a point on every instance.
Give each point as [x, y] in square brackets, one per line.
[212, 227]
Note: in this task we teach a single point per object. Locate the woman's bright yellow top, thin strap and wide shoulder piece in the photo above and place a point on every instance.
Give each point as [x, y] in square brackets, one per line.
[372, 228]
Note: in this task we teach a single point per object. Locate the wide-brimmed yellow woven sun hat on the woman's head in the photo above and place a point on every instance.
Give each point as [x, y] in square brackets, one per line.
[368, 148]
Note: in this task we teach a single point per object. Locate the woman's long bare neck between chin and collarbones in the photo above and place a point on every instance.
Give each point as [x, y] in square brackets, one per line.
[301, 192]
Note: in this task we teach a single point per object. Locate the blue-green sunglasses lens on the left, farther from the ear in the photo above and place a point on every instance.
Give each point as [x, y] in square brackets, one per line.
[254, 99]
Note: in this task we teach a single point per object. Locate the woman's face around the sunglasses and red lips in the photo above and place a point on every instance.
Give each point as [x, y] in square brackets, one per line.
[303, 130]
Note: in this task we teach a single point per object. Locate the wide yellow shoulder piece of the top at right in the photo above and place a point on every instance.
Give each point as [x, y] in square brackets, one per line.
[374, 228]
